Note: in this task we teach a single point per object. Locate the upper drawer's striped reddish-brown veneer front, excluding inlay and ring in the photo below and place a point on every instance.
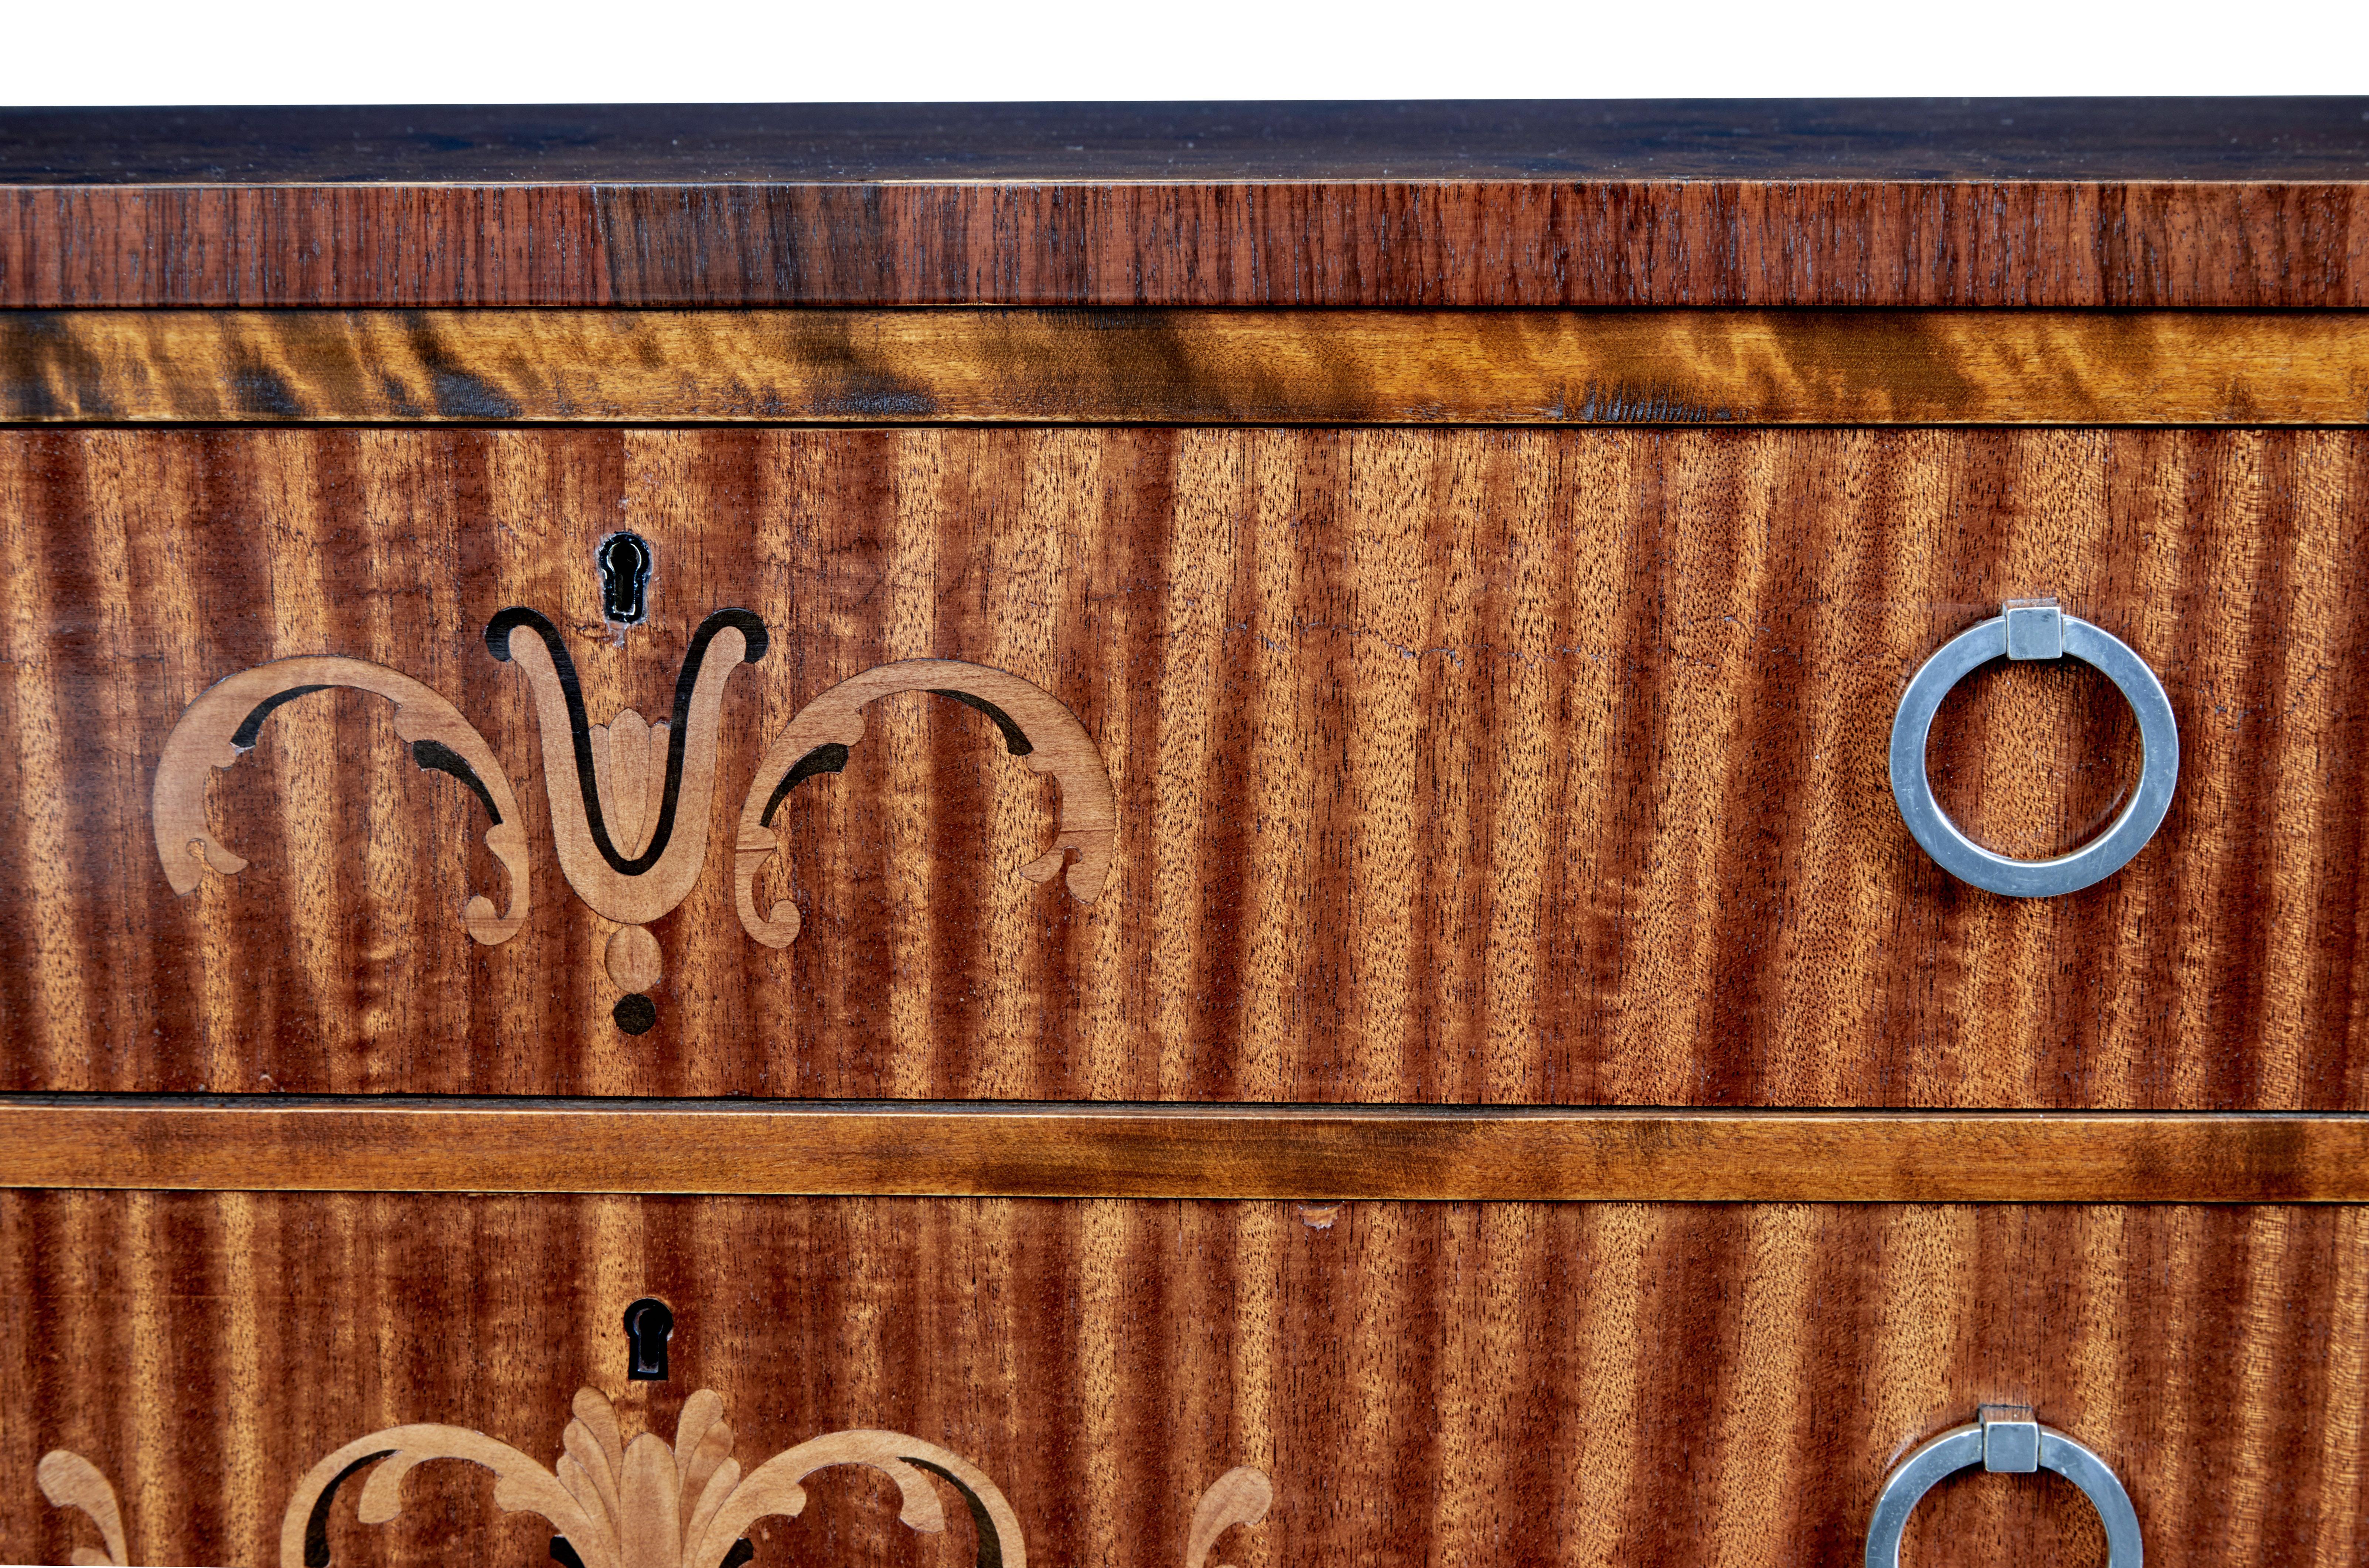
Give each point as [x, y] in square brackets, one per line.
[1444, 766]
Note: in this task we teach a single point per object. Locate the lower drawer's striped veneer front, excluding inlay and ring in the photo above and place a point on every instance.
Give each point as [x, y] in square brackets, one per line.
[1453, 1384]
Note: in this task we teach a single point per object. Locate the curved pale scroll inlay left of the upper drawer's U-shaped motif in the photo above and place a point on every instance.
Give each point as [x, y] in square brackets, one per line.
[207, 740]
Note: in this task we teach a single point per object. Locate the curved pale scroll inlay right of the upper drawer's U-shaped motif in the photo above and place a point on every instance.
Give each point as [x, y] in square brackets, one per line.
[1058, 745]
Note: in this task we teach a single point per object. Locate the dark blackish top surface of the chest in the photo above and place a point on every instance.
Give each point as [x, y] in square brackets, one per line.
[2159, 139]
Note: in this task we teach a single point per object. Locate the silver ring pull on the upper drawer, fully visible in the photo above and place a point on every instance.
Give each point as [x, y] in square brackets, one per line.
[2036, 629]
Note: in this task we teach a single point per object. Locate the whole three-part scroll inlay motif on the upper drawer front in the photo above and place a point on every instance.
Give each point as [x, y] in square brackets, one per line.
[631, 799]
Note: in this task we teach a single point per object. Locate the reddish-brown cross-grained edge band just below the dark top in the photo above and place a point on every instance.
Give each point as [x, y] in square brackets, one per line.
[1195, 243]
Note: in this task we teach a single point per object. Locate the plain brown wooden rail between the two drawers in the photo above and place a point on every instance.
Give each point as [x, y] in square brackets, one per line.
[1181, 1152]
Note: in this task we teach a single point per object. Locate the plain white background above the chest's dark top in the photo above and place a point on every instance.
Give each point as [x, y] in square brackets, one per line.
[918, 51]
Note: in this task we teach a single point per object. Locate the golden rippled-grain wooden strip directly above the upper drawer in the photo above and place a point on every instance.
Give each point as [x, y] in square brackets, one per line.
[1188, 366]
